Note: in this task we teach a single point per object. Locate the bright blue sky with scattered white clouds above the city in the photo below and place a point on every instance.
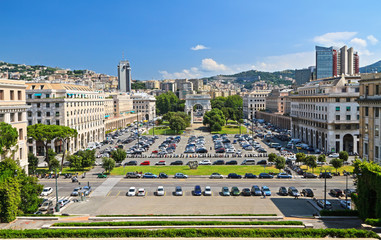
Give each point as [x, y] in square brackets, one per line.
[157, 36]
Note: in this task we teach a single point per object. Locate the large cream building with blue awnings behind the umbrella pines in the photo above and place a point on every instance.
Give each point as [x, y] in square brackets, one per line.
[75, 106]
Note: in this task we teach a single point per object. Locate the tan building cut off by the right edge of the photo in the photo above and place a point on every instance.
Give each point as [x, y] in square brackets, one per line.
[370, 106]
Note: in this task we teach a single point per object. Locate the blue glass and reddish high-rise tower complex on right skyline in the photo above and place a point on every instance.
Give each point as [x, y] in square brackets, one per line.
[333, 61]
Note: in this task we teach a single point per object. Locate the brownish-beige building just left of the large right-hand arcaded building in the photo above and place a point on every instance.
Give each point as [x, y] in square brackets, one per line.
[278, 101]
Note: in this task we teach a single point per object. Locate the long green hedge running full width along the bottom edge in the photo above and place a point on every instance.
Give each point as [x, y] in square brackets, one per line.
[170, 233]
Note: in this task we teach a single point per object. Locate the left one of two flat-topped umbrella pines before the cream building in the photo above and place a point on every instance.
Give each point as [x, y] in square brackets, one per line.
[45, 134]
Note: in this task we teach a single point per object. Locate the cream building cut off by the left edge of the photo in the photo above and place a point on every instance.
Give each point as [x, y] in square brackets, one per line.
[13, 111]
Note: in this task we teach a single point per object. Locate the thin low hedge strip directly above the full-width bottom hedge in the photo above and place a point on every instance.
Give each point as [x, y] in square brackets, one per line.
[176, 223]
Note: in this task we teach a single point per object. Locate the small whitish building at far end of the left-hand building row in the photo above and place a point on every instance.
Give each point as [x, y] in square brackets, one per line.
[144, 105]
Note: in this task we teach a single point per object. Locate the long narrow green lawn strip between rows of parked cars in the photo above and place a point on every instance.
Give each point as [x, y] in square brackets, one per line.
[201, 170]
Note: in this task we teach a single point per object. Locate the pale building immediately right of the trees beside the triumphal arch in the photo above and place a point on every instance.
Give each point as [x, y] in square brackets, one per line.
[253, 102]
